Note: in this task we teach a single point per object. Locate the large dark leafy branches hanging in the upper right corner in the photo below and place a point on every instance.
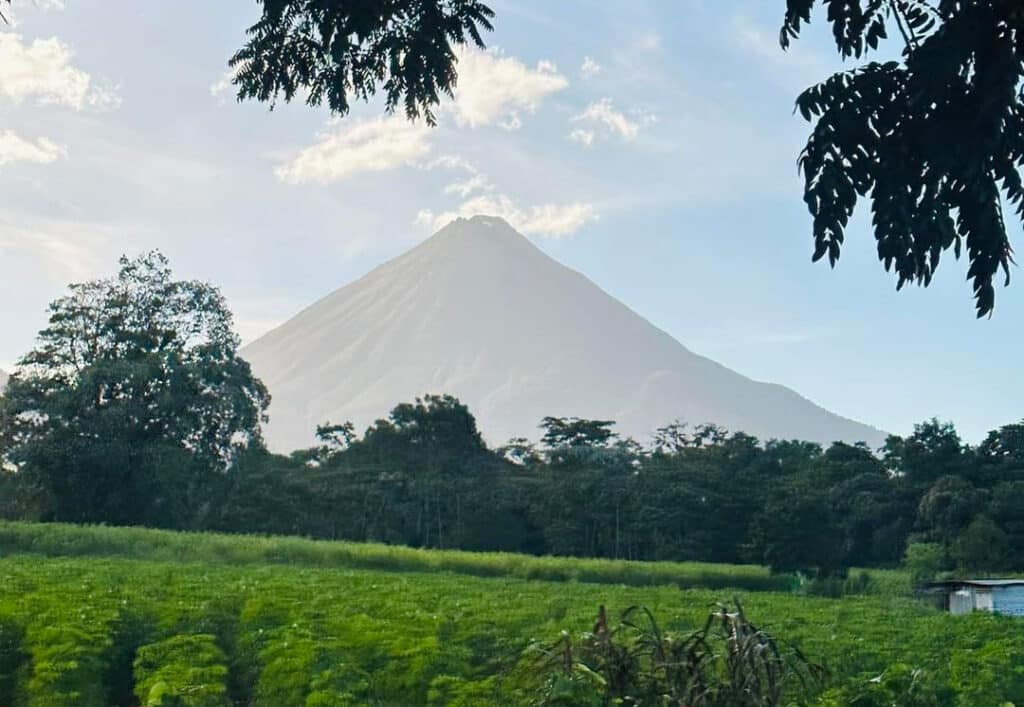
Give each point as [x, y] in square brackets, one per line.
[934, 141]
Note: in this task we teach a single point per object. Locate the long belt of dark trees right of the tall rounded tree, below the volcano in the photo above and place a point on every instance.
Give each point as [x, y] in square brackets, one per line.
[792, 506]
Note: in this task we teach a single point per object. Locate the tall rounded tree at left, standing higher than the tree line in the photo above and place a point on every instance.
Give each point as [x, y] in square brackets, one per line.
[135, 401]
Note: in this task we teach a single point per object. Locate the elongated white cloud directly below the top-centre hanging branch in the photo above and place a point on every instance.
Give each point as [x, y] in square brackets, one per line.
[348, 149]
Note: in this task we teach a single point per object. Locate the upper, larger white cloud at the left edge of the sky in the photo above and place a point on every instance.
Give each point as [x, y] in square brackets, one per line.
[44, 71]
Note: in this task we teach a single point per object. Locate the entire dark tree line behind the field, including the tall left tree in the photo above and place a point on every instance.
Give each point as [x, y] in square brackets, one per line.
[136, 408]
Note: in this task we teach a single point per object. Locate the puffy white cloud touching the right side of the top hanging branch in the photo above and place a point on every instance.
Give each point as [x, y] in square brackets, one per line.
[497, 90]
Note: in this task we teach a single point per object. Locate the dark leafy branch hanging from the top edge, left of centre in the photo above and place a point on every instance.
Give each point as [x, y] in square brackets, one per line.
[340, 50]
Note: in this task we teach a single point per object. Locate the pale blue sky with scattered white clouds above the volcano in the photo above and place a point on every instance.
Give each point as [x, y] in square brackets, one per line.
[651, 145]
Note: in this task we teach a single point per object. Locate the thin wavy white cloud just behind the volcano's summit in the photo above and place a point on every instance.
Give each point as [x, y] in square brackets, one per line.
[550, 221]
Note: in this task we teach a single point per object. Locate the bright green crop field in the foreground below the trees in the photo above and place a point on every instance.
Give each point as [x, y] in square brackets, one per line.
[102, 616]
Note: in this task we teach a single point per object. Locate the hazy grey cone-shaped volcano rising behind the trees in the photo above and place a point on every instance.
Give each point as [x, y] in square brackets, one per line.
[480, 312]
